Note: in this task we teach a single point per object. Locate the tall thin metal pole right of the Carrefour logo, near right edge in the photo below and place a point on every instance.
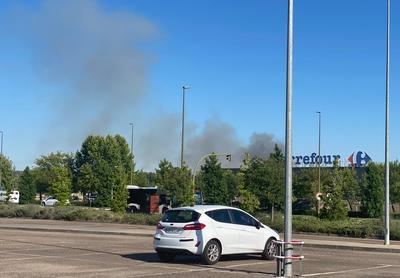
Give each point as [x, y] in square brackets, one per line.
[387, 190]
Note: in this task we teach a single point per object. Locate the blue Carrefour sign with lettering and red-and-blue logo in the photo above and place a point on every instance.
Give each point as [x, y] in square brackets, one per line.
[356, 159]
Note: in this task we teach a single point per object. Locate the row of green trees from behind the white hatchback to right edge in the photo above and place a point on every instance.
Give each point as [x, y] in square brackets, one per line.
[260, 184]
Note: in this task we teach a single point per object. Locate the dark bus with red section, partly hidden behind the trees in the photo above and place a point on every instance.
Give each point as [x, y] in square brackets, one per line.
[146, 200]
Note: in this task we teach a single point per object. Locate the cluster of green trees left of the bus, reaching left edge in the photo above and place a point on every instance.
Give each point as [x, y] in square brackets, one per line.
[103, 165]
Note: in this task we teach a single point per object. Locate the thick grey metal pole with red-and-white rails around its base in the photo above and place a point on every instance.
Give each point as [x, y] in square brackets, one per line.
[288, 143]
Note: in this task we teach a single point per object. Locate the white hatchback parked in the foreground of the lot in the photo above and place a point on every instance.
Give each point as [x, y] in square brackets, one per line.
[212, 231]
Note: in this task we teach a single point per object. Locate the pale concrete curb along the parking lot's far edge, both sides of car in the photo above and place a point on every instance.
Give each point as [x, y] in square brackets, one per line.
[321, 245]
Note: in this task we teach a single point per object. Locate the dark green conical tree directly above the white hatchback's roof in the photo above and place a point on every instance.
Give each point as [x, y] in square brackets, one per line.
[215, 191]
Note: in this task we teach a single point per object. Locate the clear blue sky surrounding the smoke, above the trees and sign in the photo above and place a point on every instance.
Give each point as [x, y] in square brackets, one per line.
[232, 54]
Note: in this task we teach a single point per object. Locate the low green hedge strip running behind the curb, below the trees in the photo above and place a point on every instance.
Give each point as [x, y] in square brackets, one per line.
[352, 227]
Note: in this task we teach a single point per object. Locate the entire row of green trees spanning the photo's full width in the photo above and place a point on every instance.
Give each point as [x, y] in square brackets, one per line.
[104, 164]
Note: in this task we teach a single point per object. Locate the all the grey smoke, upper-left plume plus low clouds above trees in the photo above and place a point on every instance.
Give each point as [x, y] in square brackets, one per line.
[97, 61]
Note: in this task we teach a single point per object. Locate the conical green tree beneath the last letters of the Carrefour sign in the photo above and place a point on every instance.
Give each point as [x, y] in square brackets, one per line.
[333, 206]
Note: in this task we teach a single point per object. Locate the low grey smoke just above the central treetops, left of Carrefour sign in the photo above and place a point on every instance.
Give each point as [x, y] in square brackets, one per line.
[163, 140]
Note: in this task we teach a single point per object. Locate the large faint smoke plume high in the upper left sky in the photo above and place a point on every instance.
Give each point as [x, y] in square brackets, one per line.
[97, 57]
